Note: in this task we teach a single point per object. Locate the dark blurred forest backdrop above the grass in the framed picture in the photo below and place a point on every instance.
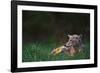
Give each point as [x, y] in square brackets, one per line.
[39, 25]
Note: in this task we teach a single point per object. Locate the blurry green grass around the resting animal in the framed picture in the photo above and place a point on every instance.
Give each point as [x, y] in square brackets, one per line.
[39, 51]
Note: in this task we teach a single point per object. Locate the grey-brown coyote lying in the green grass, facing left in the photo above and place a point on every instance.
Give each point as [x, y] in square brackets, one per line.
[73, 46]
